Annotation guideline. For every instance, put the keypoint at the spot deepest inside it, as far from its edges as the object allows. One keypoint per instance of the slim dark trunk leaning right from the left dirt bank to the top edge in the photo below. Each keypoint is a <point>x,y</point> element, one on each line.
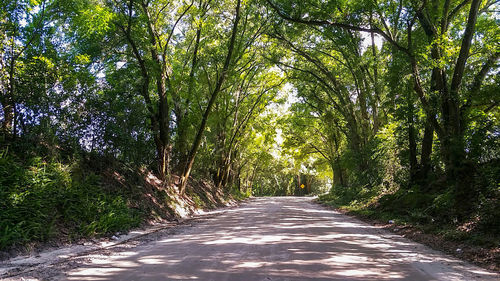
<point>201,129</point>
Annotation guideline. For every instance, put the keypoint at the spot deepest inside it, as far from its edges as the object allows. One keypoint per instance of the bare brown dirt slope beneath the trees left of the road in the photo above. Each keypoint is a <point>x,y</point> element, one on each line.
<point>156,203</point>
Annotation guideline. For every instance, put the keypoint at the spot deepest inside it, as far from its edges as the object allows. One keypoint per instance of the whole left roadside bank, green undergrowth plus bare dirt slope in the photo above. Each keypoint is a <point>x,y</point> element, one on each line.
<point>66,199</point>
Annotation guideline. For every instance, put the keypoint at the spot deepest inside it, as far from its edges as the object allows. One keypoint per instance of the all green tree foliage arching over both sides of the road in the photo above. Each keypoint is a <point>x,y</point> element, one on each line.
<point>385,104</point>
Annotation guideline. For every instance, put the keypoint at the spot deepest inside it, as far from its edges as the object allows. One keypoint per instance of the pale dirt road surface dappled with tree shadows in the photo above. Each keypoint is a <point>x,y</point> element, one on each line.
<point>274,239</point>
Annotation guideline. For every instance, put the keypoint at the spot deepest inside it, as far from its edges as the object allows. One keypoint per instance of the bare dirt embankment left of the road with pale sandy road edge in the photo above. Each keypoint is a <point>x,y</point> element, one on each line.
<point>163,209</point>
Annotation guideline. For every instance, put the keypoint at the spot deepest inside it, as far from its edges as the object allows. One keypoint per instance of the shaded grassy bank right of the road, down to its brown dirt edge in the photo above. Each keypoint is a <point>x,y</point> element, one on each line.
<point>425,218</point>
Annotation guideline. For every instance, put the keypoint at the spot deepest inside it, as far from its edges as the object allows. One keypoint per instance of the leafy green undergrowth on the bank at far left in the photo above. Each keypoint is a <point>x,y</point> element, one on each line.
<point>42,199</point>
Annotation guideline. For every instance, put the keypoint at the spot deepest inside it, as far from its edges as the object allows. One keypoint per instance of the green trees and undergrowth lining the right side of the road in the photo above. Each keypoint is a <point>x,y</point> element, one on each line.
<point>401,99</point>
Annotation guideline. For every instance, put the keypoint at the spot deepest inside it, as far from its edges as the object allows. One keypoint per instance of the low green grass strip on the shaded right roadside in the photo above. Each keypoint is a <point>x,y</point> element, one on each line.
<point>421,212</point>
